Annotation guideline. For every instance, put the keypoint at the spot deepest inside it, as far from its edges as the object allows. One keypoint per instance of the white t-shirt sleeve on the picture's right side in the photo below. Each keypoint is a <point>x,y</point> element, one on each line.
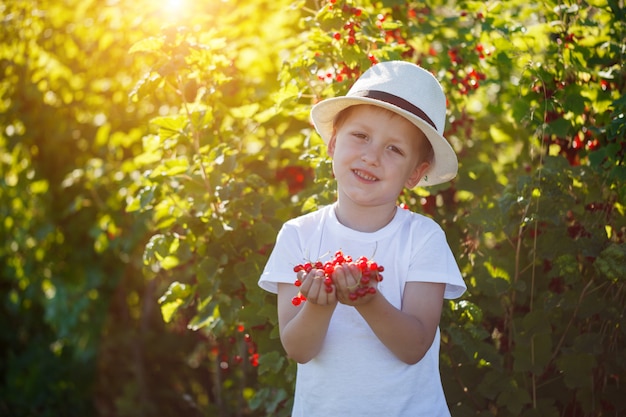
<point>433,261</point>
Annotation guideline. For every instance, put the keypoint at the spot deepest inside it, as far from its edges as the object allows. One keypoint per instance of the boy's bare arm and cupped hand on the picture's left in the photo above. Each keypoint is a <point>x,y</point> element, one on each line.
<point>303,328</point>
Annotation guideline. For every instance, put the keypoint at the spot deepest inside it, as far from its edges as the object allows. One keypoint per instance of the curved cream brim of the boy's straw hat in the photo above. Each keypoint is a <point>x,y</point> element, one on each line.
<point>442,169</point>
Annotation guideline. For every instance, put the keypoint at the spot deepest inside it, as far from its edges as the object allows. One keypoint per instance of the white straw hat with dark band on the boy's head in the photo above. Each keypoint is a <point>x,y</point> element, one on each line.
<point>405,89</point>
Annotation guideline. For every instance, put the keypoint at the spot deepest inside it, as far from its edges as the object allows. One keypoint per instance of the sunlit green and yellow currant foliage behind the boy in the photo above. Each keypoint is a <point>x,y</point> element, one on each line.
<point>149,152</point>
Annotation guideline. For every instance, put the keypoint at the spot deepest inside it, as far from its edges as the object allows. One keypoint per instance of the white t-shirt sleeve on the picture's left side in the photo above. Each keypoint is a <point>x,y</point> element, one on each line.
<point>286,254</point>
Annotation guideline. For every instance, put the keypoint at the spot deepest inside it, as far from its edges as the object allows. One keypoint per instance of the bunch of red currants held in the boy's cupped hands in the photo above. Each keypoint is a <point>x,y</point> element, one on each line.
<point>369,270</point>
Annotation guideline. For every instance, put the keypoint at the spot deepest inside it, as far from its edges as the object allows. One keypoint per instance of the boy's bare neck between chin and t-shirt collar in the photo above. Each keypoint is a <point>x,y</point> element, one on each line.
<point>364,218</point>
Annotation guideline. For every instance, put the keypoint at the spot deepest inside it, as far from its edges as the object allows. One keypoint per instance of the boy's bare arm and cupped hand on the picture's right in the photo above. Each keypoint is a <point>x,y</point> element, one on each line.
<point>408,333</point>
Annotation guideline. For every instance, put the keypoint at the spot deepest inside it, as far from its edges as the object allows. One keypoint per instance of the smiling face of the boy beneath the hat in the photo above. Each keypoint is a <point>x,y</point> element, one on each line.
<point>376,153</point>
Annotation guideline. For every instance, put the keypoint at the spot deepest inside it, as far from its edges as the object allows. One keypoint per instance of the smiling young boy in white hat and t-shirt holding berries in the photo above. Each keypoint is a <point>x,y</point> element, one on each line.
<point>378,354</point>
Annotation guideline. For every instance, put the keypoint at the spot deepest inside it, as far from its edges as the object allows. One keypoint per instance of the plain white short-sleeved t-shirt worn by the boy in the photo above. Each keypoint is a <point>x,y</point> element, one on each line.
<point>355,374</point>
